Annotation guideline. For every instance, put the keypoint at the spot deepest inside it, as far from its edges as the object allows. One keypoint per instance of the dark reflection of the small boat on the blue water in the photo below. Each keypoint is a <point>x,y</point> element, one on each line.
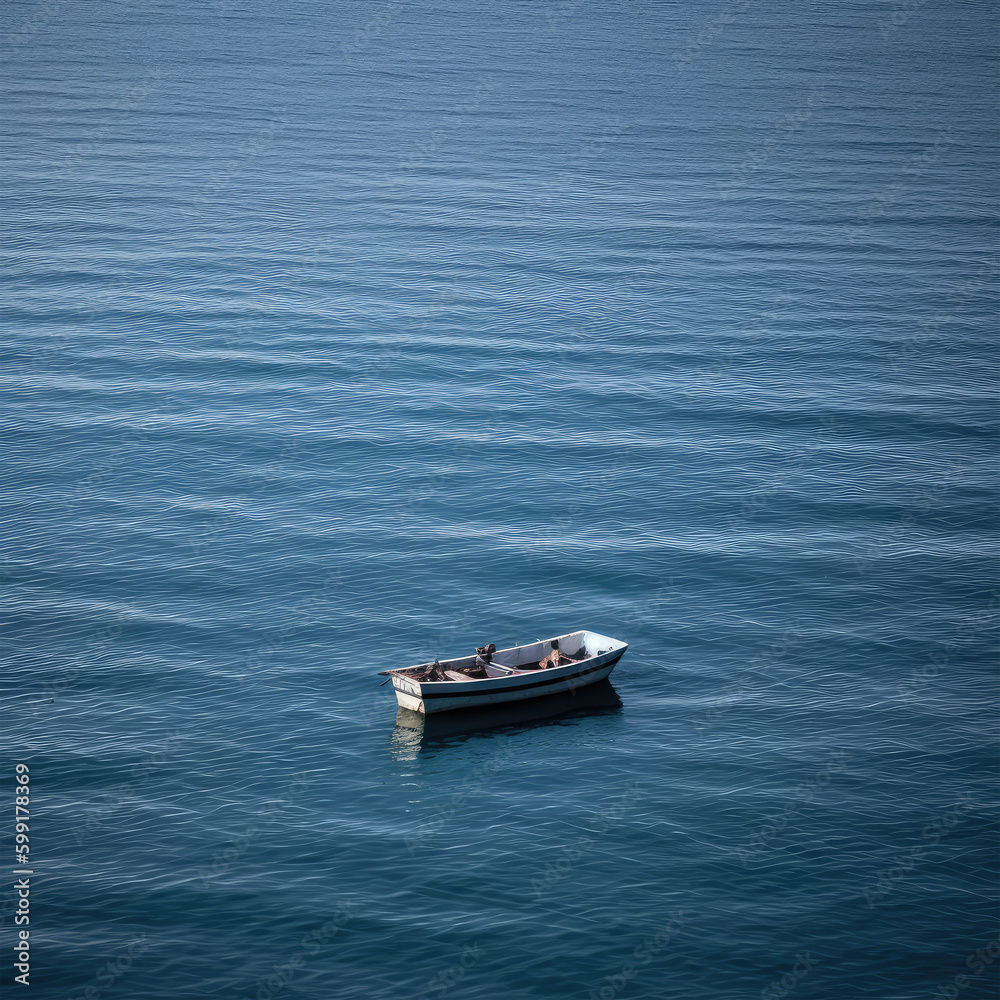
<point>415,730</point>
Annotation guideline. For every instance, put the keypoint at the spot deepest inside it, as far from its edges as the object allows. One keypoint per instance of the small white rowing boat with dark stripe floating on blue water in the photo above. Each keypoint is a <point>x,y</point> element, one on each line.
<point>497,676</point>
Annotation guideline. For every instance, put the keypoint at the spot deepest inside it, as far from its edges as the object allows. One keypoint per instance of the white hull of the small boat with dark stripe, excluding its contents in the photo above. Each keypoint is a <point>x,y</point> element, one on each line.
<point>603,653</point>
